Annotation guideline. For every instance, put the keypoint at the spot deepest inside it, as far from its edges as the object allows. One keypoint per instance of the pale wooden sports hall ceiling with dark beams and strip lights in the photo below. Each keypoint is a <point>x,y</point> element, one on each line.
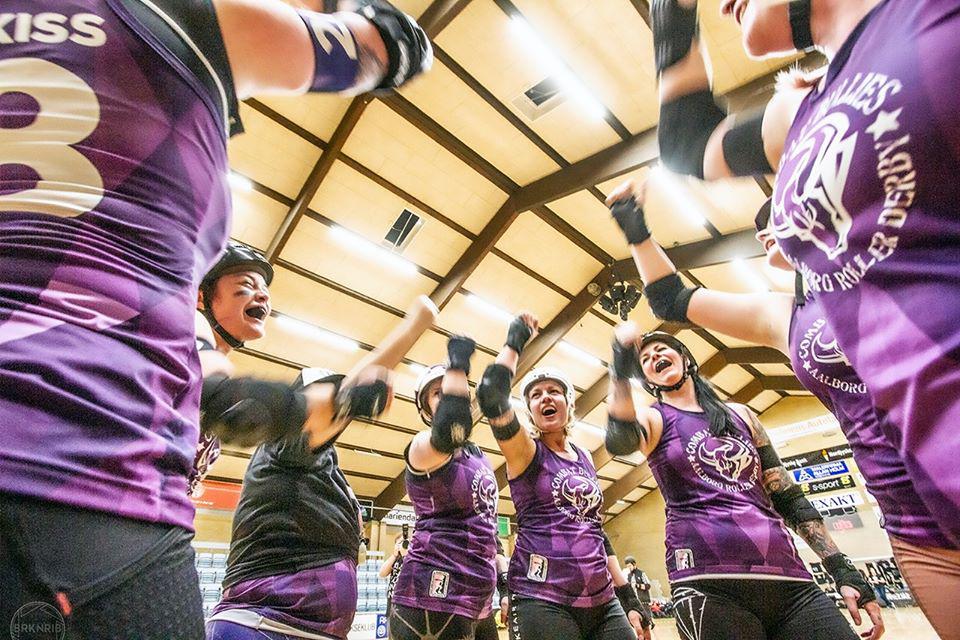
<point>512,217</point>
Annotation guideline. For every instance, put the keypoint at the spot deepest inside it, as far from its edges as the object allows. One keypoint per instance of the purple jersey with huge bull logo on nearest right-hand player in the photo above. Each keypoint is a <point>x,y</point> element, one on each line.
<point>865,206</point>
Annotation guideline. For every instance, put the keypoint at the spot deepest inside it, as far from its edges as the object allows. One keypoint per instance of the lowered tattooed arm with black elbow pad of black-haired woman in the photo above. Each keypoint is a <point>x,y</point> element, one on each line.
<point>802,517</point>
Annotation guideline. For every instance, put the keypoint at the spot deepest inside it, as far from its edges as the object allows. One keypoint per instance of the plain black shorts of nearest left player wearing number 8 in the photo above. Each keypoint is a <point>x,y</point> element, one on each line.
<point>95,575</point>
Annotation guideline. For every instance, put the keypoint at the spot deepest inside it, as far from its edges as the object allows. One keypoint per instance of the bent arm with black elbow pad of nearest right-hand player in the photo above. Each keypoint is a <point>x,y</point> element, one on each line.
<point>696,136</point>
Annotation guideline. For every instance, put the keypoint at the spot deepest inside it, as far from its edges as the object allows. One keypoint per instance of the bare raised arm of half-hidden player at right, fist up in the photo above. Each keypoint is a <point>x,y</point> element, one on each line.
<point>761,318</point>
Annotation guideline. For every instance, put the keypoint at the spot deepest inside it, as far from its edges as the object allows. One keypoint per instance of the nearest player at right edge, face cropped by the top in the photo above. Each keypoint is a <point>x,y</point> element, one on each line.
<point>864,200</point>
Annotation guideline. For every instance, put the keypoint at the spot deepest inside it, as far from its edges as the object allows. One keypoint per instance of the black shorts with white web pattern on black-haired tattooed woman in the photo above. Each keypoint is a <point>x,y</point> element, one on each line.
<point>724,609</point>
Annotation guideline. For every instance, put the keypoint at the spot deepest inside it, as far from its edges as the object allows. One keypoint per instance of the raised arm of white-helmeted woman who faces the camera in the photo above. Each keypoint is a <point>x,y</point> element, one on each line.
<point>493,395</point>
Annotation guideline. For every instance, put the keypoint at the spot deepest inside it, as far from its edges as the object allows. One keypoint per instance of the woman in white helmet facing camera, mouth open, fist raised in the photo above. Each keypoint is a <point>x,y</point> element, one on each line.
<point>564,579</point>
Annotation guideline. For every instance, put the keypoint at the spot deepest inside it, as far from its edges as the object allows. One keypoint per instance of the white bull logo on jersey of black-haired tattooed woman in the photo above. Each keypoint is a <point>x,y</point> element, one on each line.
<point>731,459</point>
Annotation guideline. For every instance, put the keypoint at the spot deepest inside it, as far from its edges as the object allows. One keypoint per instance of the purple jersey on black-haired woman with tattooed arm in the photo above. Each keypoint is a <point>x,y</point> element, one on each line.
<point>720,522</point>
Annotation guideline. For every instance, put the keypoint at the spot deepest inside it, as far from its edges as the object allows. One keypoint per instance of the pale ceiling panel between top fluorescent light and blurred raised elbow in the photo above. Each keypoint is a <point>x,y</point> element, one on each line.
<point>605,44</point>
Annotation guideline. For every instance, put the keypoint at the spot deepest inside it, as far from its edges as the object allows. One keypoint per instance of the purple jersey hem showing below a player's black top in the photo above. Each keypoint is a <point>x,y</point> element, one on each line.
<point>320,600</point>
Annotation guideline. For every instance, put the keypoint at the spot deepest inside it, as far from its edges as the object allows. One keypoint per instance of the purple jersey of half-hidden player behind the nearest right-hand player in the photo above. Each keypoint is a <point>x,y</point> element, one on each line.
<point>823,369</point>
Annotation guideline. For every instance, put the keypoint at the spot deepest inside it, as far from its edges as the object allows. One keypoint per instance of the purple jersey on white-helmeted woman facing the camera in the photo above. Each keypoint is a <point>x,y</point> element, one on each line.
<point>559,555</point>
